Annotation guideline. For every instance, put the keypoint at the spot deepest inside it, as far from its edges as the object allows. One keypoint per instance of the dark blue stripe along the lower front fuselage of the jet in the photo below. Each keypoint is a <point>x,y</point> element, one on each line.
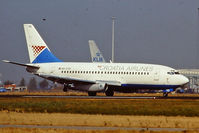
<point>150,86</point>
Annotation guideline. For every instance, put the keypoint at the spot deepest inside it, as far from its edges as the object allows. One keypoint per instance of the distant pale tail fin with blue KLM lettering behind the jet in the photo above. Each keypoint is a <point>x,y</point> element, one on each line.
<point>96,55</point>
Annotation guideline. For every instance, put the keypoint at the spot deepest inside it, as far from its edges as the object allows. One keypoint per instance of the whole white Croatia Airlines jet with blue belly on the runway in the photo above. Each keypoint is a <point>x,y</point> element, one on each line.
<point>96,77</point>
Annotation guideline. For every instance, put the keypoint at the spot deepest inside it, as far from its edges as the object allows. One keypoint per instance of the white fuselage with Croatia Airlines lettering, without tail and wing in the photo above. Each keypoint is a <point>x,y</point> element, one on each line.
<point>128,74</point>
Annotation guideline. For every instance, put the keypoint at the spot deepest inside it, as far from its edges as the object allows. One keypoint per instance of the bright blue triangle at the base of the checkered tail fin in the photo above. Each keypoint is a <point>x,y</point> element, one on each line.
<point>45,57</point>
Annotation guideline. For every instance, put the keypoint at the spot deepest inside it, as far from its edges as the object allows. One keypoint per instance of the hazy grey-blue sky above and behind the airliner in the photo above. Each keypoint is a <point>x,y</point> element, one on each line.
<point>146,31</point>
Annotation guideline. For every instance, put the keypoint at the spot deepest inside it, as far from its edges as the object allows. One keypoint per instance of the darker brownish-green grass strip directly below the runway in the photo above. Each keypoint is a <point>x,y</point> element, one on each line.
<point>166,107</point>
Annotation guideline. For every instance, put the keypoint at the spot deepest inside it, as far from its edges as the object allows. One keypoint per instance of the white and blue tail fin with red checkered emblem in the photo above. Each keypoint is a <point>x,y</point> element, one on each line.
<point>37,48</point>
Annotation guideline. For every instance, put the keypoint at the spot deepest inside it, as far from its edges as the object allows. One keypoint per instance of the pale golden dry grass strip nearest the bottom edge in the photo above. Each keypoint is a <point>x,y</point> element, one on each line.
<point>63,119</point>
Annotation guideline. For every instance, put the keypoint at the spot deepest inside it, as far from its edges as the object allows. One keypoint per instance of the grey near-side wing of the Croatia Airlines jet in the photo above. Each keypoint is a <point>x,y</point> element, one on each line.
<point>68,80</point>
